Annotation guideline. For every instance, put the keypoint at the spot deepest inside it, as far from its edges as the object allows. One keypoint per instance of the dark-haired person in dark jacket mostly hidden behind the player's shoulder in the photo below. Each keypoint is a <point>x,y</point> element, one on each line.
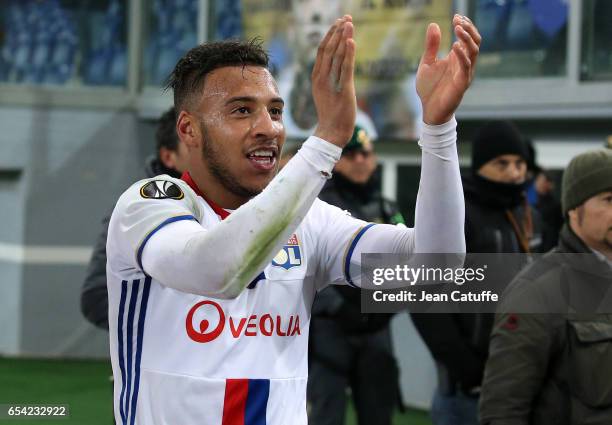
<point>171,159</point>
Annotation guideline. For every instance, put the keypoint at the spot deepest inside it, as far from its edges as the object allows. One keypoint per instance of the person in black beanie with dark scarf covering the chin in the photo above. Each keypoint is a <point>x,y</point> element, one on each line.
<point>498,220</point>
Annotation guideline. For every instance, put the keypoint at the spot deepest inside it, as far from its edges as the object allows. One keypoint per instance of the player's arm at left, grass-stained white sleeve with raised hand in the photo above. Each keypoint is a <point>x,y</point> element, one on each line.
<point>220,261</point>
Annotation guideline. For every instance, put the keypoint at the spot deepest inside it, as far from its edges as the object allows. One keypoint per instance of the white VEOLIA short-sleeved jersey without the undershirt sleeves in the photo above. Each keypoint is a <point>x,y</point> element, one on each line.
<point>213,361</point>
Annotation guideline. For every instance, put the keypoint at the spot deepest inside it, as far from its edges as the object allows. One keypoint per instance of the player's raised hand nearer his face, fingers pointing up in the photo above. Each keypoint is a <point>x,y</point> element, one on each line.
<point>333,85</point>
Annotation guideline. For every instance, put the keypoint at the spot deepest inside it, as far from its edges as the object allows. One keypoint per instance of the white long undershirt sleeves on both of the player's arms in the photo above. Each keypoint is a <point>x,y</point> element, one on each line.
<point>180,254</point>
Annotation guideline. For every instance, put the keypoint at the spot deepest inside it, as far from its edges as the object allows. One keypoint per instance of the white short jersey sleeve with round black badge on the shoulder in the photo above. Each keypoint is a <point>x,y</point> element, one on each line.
<point>142,210</point>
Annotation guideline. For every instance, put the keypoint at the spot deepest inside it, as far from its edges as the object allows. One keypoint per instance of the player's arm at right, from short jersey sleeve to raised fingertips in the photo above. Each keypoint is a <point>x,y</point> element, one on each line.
<point>441,84</point>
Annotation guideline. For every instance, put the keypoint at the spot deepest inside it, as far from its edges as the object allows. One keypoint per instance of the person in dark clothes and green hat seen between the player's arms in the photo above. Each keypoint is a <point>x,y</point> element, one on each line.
<point>345,343</point>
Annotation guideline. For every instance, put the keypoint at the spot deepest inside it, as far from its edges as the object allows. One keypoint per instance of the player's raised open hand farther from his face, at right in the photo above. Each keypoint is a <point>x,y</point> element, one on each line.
<point>441,83</point>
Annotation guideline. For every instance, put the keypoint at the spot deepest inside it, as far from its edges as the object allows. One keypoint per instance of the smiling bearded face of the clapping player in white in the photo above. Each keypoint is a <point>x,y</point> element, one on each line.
<point>240,116</point>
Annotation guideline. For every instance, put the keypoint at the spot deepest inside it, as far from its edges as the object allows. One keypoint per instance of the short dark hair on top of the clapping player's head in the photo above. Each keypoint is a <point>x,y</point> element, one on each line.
<point>189,74</point>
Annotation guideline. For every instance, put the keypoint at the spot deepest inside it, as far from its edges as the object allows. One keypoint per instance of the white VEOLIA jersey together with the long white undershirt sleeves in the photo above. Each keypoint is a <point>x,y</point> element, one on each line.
<point>239,356</point>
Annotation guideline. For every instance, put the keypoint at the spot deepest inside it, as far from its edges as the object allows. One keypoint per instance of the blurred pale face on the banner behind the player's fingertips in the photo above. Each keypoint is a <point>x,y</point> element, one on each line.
<point>312,19</point>
